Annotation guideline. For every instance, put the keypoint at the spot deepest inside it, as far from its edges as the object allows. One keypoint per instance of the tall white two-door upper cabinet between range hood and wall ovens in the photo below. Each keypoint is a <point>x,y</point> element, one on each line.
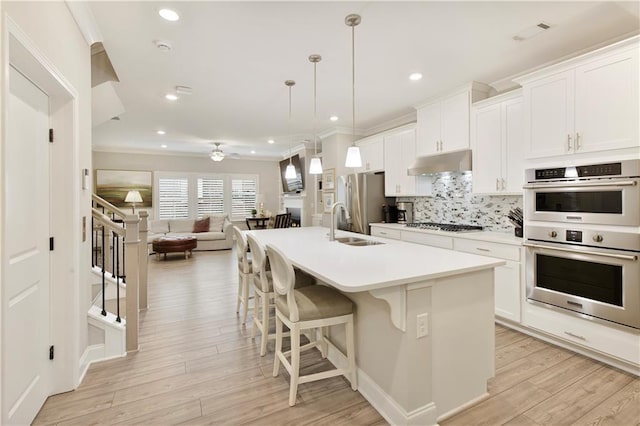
<point>496,141</point>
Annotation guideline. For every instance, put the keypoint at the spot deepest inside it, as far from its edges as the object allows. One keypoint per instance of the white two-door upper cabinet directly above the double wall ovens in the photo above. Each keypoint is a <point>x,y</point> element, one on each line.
<point>584,105</point>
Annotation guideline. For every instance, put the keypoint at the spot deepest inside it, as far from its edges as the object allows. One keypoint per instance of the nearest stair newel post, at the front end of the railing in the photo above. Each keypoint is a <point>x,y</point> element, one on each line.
<point>132,254</point>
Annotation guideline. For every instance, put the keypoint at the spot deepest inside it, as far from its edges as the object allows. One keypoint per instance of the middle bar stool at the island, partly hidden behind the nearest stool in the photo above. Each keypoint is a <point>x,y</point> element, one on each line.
<point>264,295</point>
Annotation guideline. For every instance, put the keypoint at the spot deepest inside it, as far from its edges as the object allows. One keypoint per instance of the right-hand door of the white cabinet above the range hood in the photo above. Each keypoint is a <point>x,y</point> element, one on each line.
<point>454,122</point>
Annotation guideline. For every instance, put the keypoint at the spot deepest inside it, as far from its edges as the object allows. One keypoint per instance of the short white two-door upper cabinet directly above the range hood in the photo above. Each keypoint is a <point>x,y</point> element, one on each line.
<point>443,123</point>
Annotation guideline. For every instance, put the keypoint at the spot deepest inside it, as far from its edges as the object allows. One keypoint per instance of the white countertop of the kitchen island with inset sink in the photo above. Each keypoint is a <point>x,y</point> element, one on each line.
<point>363,268</point>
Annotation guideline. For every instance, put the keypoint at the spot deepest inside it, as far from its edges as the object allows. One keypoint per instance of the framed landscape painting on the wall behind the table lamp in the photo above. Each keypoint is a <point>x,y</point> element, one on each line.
<point>113,186</point>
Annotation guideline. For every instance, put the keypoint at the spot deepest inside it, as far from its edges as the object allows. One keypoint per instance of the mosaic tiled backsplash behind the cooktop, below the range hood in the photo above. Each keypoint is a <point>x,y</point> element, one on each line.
<point>453,202</point>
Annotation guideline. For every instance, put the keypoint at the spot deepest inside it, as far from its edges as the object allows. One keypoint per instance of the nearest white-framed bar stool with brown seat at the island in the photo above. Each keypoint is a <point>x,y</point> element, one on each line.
<point>310,307</point>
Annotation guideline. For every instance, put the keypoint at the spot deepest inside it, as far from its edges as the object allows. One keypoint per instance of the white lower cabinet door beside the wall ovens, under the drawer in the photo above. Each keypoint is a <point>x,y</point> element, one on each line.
<point>507,291</point>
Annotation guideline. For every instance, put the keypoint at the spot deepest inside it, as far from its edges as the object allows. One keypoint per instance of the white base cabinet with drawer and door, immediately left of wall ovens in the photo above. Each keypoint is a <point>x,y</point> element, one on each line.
<point>508,297</point>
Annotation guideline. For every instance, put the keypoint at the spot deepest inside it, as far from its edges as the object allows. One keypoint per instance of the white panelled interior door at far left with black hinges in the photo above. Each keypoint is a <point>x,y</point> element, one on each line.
<point>26,294</point>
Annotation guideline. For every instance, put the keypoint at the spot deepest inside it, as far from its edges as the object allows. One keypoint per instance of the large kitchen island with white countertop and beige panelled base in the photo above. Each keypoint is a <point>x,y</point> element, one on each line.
<point>424,319</point>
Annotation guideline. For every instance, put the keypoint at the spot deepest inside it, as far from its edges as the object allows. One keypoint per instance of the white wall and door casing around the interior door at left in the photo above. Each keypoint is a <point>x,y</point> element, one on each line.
<point>52,31</point>
